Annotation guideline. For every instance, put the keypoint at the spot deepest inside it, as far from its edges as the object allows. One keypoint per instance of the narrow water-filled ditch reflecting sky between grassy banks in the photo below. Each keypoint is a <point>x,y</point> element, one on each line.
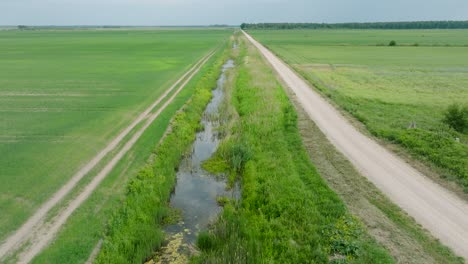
<point>196,191</point>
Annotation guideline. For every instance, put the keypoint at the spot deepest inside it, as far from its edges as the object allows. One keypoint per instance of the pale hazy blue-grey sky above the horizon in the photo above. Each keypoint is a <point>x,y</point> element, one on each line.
<point>203,12</point>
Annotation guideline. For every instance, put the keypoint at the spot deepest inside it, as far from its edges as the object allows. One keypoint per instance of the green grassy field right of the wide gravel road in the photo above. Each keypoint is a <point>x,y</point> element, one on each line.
<point>389,88</point>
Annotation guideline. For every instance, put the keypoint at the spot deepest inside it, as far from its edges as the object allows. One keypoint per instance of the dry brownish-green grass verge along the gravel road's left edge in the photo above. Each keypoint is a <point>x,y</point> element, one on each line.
<point>405,240</point>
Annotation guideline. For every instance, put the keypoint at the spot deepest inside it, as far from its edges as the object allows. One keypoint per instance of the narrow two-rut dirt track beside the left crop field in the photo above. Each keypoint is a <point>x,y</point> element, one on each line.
<point>38,233</point>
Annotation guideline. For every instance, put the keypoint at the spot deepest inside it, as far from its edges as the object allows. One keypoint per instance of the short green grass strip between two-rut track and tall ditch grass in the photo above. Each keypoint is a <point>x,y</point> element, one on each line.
<point>88,225</point>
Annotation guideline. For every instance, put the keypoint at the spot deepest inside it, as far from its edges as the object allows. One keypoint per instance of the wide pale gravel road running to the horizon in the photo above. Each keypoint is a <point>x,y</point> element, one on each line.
<point>436,209</point>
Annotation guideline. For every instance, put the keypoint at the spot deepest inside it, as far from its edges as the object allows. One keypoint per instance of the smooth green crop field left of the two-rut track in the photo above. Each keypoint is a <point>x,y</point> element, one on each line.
<point>65,94</point>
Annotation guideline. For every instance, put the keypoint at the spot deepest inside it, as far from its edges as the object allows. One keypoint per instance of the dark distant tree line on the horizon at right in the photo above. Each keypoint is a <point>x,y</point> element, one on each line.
<point>367,25</point>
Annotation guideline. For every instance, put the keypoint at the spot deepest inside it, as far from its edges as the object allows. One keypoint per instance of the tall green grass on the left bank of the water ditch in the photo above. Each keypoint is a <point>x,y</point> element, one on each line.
<point>134,230</point>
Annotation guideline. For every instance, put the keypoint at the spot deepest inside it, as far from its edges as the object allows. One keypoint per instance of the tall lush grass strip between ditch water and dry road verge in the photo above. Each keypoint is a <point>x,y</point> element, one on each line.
<point>287,213</point>
